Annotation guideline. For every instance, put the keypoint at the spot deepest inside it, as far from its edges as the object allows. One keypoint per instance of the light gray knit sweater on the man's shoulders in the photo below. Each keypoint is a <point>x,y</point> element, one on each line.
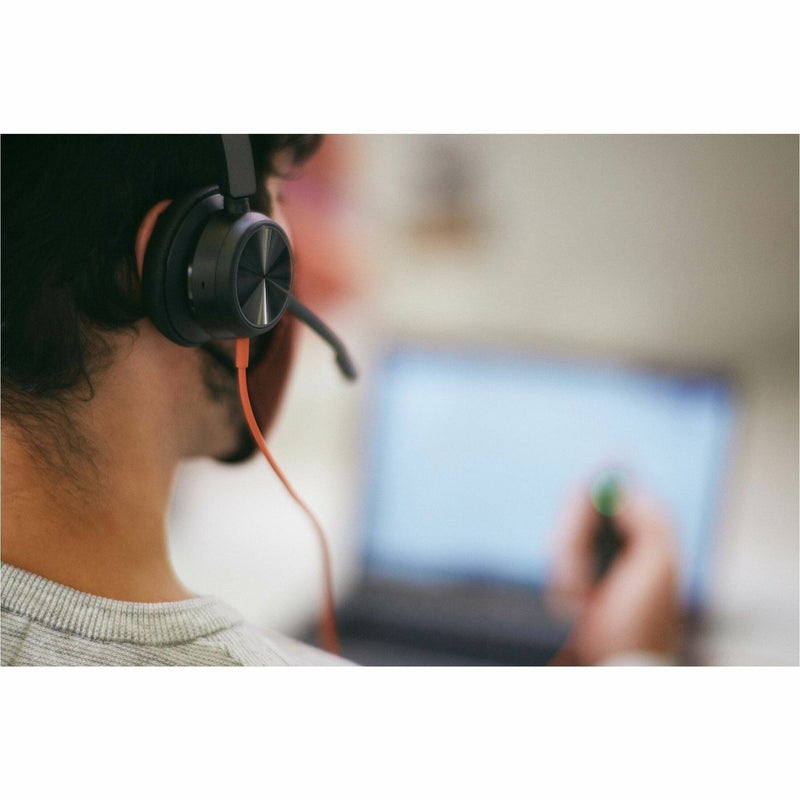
<point>46,624</point>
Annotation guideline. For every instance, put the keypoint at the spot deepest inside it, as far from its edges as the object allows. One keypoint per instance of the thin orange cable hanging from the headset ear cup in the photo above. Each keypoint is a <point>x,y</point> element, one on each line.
<point>329,638</point>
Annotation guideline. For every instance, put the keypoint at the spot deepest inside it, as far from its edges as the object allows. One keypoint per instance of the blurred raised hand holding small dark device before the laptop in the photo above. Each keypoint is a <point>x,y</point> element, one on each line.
<point>634,607</point>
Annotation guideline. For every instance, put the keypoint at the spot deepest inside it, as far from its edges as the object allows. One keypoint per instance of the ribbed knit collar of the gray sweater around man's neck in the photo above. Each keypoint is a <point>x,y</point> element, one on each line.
<point>102,619</point>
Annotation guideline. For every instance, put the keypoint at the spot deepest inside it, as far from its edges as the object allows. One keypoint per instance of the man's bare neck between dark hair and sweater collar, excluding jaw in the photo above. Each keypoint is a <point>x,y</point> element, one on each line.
<point>99,526</point>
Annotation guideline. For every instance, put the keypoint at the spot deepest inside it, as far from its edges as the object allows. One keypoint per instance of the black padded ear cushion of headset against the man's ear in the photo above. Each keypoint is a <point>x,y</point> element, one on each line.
<point>167,259</point>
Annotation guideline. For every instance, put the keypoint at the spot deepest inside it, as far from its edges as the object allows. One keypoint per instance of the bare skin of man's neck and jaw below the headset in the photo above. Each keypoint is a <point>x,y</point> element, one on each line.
<point>99,526</point>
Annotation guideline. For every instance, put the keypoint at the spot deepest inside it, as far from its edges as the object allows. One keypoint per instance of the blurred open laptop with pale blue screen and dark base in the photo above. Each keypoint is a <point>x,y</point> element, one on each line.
<point>471,455</point>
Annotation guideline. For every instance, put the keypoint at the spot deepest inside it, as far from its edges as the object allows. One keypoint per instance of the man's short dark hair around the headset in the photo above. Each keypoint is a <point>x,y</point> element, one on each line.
<point>71,207</point>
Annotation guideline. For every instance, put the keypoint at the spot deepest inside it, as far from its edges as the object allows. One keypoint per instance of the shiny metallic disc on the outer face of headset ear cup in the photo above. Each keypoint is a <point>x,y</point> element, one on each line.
<point>264,276</point>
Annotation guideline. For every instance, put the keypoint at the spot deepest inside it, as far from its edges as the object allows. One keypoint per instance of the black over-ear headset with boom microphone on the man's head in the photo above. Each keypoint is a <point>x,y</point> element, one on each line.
<point>214,269</point>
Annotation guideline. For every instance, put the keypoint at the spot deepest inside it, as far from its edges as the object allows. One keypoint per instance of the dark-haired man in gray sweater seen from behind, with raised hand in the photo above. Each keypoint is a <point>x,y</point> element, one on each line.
<point>99,408</point>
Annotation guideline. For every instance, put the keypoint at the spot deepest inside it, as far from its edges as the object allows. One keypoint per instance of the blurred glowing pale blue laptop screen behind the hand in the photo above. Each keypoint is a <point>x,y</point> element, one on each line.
<point>472,457</point>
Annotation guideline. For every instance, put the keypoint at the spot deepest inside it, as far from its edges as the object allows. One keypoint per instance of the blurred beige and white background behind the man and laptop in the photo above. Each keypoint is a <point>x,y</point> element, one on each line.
<point>673,251</point>
